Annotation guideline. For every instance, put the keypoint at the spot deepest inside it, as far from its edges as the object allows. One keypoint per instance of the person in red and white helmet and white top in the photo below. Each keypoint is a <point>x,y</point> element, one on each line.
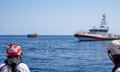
<point>14,63</point>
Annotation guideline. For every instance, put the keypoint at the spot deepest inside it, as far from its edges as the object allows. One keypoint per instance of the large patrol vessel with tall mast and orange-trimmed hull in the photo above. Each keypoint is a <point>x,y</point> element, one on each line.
<point>100,33</point>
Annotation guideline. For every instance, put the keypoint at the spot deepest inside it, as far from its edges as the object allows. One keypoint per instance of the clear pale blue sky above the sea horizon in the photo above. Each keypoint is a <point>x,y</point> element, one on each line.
<point>56,17</point>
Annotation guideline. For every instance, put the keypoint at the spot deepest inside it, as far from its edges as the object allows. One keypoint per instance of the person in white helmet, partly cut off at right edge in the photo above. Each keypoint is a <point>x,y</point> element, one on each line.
<point>114,54</point>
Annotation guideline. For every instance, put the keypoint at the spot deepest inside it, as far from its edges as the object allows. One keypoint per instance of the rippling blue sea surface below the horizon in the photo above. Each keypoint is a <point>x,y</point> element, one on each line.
<point>59,53</point>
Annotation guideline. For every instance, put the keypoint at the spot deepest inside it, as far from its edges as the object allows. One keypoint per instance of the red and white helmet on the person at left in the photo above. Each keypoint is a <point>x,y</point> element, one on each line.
<point>14,50</point>
